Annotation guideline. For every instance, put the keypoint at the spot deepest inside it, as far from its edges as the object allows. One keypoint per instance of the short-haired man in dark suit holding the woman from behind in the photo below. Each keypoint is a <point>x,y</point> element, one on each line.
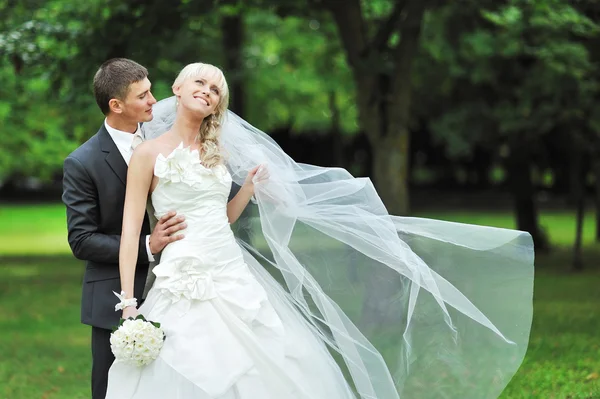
<point>94,181</point>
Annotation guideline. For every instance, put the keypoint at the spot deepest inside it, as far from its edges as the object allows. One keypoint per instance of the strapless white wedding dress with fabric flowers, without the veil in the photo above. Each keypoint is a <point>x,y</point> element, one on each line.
<point>228,336</point>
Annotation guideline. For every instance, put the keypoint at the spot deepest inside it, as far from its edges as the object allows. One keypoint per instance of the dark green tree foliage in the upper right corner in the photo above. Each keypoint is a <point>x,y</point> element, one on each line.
<point>521,68</point>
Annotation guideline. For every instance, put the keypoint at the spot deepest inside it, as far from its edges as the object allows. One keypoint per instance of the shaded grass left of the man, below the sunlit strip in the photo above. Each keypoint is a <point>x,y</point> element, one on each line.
<point>44,348</point>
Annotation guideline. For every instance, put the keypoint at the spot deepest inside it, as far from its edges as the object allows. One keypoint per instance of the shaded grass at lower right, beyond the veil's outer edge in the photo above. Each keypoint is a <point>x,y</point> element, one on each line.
<point>563,358</point>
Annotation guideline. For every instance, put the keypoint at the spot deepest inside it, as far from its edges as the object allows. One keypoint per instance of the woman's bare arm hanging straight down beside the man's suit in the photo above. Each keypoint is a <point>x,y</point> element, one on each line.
<point>139,179</point>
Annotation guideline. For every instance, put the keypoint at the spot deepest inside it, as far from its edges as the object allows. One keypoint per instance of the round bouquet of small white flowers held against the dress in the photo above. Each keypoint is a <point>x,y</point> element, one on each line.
<point>137,341</point>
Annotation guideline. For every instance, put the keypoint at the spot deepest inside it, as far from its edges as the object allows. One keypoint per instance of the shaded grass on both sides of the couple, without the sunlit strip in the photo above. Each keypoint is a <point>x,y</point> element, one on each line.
<point>45,351</point>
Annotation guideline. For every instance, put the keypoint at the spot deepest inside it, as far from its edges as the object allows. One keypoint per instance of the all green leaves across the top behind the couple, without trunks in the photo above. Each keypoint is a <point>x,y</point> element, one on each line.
<point>485,71</point>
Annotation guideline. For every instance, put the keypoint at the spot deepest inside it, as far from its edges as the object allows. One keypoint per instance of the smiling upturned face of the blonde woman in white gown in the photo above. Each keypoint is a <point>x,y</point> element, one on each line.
<point>199,94</point>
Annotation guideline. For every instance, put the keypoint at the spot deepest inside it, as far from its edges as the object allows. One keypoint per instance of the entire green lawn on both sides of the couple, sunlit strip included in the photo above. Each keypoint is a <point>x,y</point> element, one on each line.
<point>44,350</point>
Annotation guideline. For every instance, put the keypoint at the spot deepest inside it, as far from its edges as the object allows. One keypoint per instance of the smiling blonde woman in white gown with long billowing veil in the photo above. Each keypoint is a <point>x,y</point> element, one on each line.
<point>335,298</point>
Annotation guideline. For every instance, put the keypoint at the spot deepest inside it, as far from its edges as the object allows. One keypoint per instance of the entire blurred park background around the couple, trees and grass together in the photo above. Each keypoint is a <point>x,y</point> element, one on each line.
<point>472,111</point>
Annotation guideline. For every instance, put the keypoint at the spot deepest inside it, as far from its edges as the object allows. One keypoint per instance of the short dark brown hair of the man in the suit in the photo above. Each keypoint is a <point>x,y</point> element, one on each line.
<point>113,78</point>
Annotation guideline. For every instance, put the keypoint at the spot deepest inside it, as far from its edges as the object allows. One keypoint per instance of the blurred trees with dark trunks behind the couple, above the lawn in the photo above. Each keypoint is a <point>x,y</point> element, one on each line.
<point>497,99</point>
